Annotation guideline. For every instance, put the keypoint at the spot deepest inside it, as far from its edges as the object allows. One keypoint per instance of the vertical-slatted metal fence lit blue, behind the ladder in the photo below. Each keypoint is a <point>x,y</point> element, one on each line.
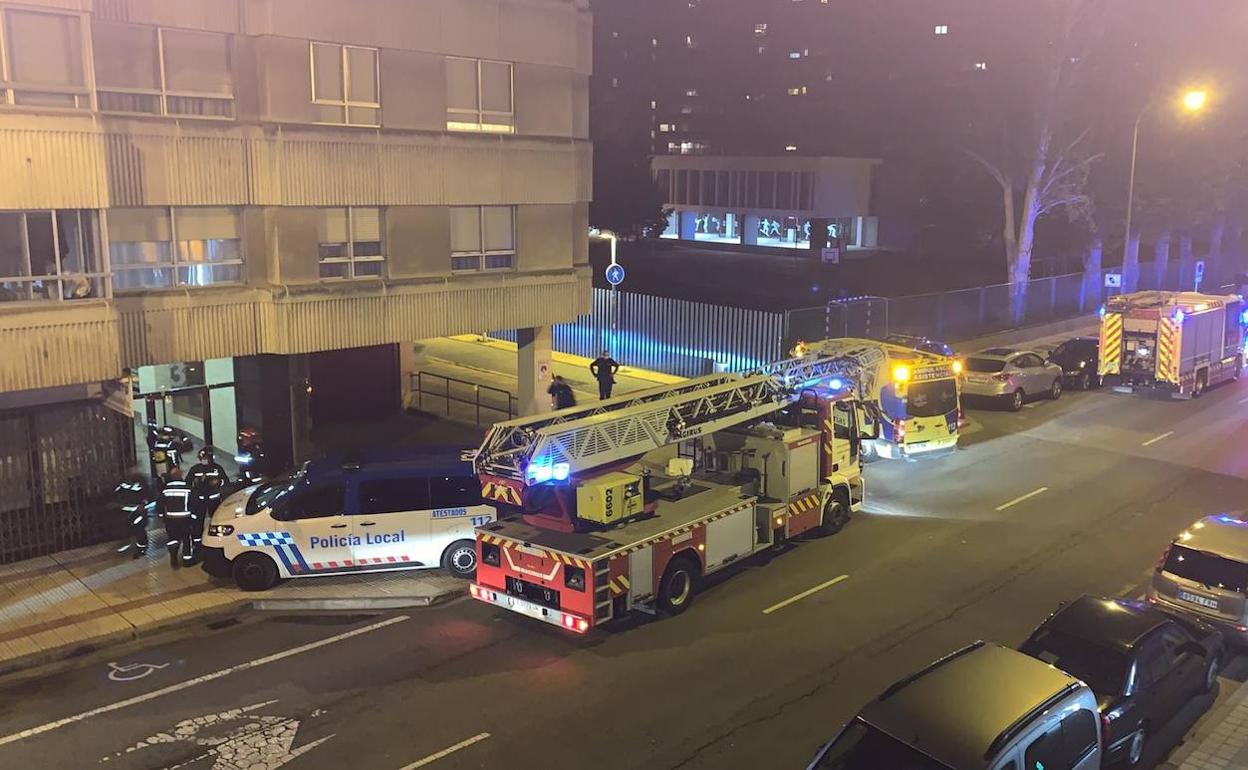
<point>675,336</point>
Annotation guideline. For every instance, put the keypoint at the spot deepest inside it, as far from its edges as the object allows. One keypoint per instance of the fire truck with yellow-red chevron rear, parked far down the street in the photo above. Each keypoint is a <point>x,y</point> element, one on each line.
<point>1182,343</point>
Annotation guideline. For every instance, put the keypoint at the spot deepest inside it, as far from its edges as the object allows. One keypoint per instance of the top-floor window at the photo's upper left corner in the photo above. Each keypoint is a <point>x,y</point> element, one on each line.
<point>42,61</point>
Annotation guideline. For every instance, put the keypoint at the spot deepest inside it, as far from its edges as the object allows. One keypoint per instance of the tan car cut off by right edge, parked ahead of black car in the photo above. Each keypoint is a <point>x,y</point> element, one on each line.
<point>1205,575</point>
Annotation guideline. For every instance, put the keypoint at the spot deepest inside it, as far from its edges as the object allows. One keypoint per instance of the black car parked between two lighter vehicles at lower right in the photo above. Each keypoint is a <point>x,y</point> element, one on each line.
<point>1143,665</point>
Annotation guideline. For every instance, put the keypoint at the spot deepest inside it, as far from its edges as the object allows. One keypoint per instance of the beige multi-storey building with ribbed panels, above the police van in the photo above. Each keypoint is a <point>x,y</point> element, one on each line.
<point>258,205</point>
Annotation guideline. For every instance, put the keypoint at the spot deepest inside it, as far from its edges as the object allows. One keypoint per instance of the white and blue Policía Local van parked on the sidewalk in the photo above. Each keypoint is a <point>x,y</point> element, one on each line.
<point>399,510</point>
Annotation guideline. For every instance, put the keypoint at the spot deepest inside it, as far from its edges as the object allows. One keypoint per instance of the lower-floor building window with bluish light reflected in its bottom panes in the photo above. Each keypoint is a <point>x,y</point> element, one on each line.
<point>163,248</point>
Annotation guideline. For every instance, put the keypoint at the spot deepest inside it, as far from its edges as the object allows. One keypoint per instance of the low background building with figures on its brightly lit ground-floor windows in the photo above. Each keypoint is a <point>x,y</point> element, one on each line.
<point>769,202</point>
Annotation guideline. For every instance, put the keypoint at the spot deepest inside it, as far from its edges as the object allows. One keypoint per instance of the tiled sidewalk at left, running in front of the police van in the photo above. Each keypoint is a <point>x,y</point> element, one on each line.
<point>74,602</point>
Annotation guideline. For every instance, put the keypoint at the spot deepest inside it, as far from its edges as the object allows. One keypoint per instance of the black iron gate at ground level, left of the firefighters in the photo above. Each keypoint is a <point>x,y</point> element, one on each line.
<point>59,465</point>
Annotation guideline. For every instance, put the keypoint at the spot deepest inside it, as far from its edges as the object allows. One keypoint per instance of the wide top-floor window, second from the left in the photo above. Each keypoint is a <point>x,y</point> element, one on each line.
<point>145,71</point>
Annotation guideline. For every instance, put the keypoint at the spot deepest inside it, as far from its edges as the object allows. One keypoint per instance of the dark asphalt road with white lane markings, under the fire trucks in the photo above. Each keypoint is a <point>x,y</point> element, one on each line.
<point>1059,500</point>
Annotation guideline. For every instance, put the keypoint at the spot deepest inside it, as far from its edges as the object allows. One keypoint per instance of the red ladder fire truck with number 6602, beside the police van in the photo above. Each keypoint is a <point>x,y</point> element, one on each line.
<point>627,505</point>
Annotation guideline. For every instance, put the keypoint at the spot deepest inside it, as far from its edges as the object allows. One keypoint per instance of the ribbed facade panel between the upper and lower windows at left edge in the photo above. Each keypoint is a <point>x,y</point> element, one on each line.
<point>46,168</point>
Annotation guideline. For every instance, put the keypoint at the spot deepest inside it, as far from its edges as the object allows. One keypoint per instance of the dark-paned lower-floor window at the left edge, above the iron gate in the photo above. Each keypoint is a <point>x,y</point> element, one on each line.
<point>49,255</point>
